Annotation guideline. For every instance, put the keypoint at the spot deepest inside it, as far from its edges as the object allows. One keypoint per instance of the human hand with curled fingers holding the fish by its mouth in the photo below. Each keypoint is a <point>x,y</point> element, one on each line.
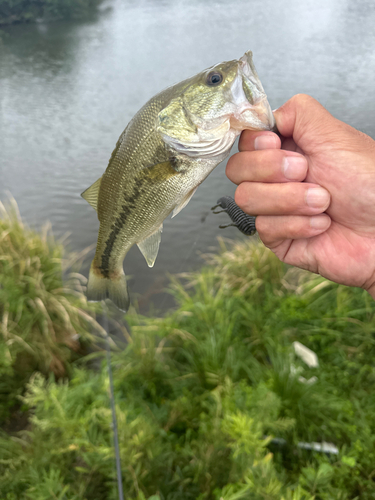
<point>313,192</point>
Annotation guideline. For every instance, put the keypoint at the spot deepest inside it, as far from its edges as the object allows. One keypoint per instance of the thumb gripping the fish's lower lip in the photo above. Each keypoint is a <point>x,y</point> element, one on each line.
<point>306,120</point>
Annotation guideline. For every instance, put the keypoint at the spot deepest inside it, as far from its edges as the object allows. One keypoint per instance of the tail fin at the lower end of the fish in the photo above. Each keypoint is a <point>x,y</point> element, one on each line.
<point>100,288</point>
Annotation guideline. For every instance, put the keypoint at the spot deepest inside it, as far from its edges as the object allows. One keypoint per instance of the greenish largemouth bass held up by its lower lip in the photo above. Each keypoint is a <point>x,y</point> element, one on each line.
<point>166,151</point>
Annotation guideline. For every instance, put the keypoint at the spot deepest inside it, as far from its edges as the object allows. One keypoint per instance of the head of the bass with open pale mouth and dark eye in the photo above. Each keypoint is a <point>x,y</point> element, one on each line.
<point>209,110</point>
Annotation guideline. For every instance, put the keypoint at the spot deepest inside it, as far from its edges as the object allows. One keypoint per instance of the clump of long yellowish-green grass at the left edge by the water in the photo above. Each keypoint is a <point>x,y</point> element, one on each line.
<point>45,321</point>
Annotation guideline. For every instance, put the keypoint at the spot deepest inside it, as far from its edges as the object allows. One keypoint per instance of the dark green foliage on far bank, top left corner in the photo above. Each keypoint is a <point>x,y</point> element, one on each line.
<point>25,11</point>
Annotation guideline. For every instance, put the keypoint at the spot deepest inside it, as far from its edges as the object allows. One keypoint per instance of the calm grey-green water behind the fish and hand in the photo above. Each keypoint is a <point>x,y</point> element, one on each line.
<point>68,89</point>
